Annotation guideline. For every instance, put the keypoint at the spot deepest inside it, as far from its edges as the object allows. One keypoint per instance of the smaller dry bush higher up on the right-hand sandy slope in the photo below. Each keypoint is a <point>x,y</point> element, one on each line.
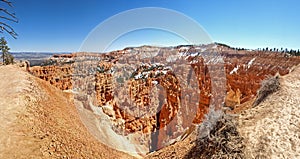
<point>268,87</point>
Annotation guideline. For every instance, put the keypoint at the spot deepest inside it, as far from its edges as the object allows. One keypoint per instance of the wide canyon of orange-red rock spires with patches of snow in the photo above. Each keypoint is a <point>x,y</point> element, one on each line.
<point>140,93</point>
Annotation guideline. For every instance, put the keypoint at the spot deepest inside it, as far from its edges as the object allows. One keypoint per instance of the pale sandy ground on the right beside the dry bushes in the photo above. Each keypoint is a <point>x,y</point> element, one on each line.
<point>272,129</point>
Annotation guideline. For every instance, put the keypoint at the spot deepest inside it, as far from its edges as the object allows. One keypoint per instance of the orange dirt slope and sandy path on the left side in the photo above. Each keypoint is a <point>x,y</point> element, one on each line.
<point>40,121</point>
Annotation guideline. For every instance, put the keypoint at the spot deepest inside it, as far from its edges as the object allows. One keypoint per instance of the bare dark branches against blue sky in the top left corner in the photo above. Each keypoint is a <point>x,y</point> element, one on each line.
<point>6,17</point>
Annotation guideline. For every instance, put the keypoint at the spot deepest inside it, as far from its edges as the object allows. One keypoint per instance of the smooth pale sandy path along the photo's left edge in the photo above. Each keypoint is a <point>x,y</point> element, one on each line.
<point>13,86</point>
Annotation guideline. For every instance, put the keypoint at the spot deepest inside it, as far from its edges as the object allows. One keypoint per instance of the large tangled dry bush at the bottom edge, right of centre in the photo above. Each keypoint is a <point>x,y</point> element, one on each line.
<point>218,138</point>
